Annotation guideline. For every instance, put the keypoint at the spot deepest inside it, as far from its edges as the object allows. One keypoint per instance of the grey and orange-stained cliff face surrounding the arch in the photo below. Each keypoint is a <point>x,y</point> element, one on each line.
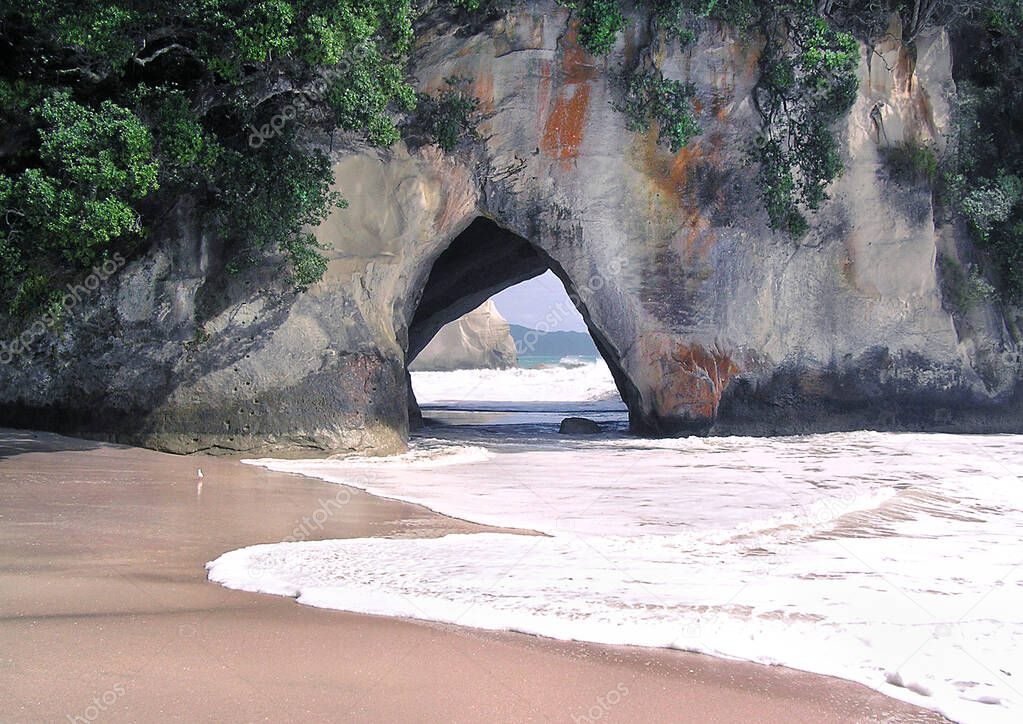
<point>708,321</point>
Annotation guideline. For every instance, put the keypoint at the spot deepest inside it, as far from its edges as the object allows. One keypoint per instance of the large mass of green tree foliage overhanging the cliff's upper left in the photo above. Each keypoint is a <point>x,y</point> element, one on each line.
<point>105,102</point>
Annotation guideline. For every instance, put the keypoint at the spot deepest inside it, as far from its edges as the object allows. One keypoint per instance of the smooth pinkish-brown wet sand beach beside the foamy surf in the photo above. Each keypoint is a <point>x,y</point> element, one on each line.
<point>106,615</point>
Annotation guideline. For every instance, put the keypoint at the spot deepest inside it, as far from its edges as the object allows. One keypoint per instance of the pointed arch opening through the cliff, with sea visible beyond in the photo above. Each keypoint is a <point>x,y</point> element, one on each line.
<point>500,336</point>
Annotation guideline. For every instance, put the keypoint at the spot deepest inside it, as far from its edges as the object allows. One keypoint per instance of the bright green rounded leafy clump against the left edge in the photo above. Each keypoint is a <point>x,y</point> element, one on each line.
<point>77,200</point>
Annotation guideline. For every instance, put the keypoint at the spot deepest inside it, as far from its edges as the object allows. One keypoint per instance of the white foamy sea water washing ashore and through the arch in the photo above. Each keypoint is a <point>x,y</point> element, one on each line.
<point>896,561</point>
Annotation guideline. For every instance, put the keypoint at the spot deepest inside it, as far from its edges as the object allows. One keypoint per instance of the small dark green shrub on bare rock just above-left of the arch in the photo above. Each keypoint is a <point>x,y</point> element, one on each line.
<point>448,119</point>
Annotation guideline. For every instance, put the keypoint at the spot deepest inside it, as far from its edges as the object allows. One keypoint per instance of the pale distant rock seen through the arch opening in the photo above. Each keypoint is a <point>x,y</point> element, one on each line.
<point>480,340</point>
